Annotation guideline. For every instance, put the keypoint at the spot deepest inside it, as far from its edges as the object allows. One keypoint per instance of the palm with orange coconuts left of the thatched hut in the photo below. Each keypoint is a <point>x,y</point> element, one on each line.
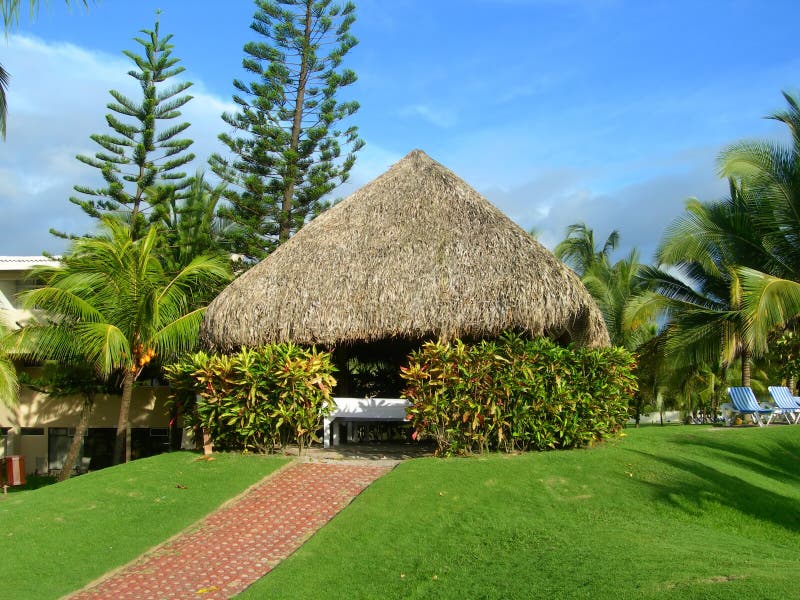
<point>113,303</point>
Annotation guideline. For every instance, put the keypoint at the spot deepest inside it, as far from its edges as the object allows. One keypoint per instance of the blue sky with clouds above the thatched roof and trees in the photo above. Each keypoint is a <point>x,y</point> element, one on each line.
<point>610,112</point>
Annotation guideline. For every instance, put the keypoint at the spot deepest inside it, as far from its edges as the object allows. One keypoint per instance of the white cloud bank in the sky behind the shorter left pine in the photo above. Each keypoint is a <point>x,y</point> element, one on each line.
<point>57,99</point>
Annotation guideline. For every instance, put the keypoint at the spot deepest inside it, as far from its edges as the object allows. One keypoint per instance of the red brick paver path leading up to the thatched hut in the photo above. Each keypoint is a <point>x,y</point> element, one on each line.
<point>231,548</point>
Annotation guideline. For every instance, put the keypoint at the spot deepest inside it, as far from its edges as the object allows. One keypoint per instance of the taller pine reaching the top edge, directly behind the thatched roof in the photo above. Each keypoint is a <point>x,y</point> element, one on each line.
<point>288,154</point>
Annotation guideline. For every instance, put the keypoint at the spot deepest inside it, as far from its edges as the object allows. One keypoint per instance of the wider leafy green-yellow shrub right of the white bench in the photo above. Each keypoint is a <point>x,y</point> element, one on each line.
<point>516,394</point>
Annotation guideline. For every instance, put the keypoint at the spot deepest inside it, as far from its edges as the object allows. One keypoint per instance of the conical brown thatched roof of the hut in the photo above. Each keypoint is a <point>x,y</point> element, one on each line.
<point>416,253</point>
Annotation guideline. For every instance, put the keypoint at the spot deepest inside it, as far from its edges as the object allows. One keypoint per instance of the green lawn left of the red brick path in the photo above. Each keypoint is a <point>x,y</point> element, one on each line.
<point>58,538</point>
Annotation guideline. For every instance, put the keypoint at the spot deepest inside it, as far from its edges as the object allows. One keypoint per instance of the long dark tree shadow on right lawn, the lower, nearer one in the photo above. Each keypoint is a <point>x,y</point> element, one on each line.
<point>711,485</point>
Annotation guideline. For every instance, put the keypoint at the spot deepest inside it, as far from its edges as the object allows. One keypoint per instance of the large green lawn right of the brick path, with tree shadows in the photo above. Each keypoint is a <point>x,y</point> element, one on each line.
<point>675,512</point>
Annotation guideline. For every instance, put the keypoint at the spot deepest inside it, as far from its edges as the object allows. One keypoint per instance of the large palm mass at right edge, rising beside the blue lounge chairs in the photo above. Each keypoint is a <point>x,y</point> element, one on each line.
<point>729,270</point>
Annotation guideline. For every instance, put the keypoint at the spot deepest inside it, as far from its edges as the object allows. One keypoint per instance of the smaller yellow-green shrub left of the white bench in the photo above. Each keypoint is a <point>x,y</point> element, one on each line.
<point>257,399</point>
